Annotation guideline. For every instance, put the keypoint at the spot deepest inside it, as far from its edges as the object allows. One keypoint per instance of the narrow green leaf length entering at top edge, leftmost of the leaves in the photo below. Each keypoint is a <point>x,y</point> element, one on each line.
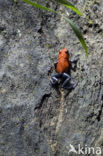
<point>39,6</point>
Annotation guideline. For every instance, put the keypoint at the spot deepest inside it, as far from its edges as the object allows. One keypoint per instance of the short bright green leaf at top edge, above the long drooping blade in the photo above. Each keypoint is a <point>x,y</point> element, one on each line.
<point>69,5</point>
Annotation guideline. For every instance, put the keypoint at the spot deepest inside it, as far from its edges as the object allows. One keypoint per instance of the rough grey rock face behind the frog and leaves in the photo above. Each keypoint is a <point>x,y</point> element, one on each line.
<point>36,119</point>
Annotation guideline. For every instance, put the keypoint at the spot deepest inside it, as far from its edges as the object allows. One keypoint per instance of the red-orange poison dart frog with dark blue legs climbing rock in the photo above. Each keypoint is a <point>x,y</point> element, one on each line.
<point>62,67</point>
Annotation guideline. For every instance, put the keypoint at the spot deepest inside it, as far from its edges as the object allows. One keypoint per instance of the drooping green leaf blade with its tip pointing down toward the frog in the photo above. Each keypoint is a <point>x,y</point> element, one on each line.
<point>78,34</point>
